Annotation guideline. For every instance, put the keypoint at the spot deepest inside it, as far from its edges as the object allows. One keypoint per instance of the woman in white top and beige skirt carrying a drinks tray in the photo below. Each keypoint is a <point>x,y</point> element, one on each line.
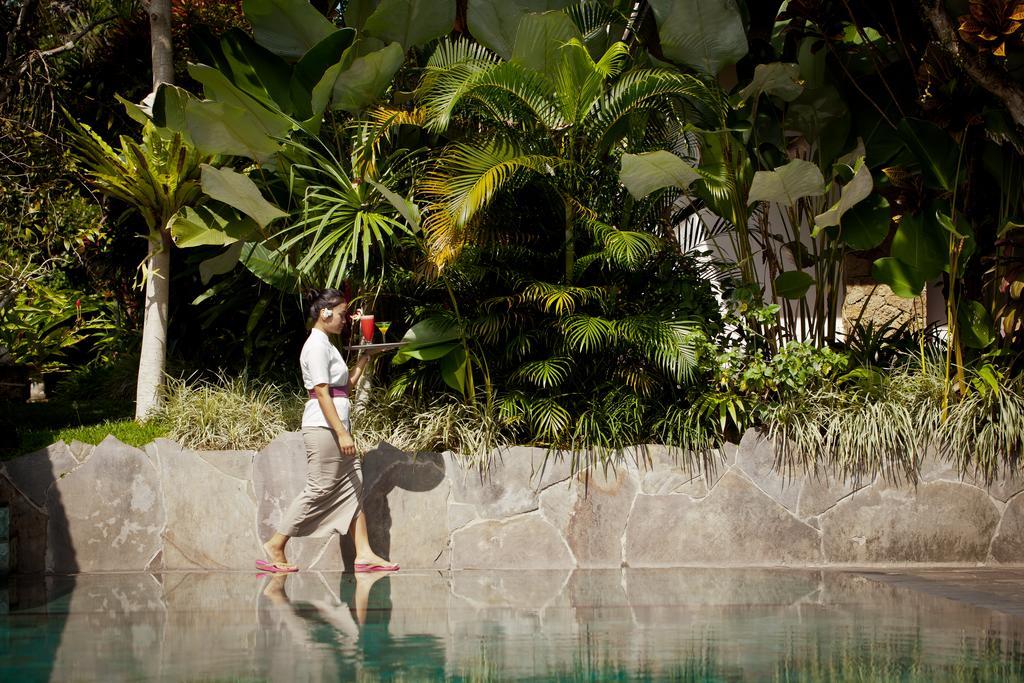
<point>332,500</point>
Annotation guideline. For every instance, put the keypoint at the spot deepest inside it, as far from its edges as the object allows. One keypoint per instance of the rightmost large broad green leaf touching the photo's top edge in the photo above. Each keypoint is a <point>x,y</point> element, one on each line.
<point>706,35</point>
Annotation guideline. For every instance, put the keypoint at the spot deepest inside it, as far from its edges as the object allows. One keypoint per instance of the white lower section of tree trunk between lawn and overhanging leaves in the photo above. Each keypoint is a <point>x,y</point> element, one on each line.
<point>152,359</point>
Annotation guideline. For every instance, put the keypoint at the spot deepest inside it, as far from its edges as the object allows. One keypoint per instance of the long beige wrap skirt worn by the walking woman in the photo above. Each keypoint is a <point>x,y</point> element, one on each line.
<point>334,489</point>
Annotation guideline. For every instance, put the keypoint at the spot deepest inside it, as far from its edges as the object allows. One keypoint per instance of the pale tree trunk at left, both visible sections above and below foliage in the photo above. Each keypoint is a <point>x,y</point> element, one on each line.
<point>158,283</point>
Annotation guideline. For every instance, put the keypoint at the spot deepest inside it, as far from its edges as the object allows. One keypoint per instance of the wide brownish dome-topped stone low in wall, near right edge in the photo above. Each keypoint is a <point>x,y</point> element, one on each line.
<point>941,522</point>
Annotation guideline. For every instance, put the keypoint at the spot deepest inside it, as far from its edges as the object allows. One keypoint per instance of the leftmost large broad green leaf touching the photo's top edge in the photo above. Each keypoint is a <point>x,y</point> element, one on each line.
<point>287,28</point>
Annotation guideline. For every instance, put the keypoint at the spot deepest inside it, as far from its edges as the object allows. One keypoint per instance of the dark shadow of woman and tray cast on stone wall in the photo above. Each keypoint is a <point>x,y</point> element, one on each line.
<point>389,468</point>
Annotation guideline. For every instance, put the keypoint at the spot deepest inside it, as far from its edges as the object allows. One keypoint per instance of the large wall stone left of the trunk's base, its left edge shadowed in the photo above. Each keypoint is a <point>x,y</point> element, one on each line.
<point>107,515</point>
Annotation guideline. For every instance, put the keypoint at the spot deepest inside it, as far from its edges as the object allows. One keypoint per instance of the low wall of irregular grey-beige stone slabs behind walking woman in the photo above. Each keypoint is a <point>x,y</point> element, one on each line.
<point>113,507</point>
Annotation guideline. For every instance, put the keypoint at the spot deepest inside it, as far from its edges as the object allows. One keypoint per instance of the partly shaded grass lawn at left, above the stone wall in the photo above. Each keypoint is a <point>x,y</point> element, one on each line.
<point>35,426</point>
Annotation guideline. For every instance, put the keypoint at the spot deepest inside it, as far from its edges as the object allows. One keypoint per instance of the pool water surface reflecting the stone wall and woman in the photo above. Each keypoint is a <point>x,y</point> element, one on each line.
<point>701,625</point>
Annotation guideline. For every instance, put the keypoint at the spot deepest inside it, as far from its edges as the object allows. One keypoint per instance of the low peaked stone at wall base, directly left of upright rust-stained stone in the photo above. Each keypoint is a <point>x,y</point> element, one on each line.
<point>526,542</point>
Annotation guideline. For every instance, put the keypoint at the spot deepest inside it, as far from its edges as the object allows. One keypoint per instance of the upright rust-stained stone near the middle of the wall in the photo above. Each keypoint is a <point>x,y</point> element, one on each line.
<point>598,522</point>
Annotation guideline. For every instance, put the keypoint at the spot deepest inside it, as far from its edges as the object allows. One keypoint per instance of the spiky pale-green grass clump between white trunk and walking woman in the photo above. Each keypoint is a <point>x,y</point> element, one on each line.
<point>228,413</point>
